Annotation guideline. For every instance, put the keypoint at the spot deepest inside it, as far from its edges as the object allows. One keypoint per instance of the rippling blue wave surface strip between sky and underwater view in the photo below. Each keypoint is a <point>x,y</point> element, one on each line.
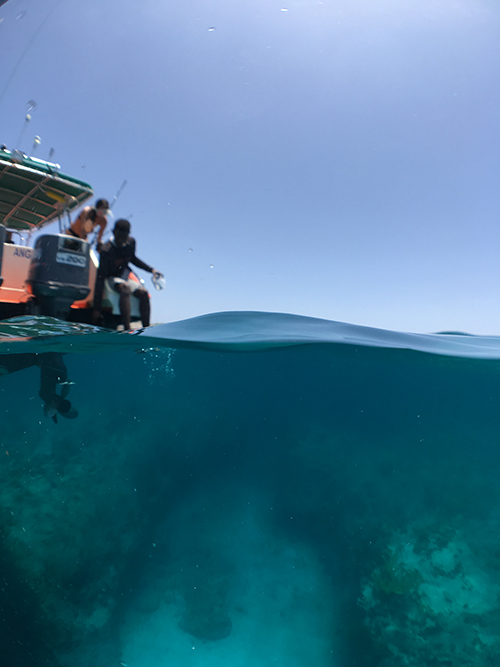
<point>235,331</point>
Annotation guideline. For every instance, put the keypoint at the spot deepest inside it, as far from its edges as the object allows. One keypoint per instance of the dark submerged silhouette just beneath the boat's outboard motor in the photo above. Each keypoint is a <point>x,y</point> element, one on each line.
<point>53,373</point>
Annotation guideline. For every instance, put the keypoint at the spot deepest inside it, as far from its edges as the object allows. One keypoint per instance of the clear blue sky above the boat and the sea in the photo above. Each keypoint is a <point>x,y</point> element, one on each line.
<point>336,159</point>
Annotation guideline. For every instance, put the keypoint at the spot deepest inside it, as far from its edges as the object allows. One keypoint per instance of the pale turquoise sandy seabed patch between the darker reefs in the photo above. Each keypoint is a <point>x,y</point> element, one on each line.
<point>251,596</point>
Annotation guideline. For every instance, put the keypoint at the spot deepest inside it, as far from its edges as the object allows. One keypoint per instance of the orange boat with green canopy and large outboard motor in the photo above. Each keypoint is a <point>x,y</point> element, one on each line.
<point>55,276</point>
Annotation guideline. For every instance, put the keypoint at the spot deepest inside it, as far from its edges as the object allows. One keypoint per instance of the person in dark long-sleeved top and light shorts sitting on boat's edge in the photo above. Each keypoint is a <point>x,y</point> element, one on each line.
<point>114,269</point>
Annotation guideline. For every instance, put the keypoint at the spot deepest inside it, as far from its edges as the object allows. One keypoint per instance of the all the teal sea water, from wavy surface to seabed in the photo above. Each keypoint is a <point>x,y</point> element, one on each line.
<point>249,489</point>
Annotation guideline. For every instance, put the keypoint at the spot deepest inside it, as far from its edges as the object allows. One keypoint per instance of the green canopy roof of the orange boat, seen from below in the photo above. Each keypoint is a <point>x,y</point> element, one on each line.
<point>34,193</point>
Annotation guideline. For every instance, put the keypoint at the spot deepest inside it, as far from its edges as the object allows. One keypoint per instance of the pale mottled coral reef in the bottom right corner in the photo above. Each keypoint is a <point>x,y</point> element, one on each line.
<point>433,601</point>
